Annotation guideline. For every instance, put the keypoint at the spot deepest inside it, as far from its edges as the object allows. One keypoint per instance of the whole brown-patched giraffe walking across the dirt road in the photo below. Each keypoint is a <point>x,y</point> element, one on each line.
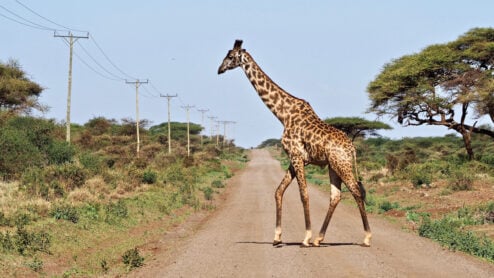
<point>307,140</point>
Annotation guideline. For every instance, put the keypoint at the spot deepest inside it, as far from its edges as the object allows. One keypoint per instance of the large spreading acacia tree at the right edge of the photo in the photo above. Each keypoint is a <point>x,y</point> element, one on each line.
<point>448,84</point>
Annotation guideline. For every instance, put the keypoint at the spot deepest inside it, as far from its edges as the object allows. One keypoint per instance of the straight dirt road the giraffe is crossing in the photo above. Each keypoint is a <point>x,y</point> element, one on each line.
<point>236,240</point>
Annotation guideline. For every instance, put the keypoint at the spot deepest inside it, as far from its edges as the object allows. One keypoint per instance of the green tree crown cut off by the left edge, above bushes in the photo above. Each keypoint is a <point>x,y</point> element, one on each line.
<point>17,93</point>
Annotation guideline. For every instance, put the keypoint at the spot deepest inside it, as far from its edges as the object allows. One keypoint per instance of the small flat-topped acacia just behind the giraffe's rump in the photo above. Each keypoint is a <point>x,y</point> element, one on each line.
<point>357,127</point>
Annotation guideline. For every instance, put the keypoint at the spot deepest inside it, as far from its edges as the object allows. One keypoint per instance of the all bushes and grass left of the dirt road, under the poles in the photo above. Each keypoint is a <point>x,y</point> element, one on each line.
<point>86,208</point>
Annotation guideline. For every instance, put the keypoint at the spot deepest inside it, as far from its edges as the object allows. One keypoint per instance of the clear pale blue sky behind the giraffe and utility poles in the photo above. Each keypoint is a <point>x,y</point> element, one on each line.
<point>323,51</point>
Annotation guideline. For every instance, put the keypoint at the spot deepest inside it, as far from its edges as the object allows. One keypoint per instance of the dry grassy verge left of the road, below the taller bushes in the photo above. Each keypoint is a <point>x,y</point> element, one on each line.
<point>89,236</point>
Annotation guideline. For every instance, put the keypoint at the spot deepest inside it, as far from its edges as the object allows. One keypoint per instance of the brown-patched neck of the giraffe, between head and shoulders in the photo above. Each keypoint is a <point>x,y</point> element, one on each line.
<point>276,99</point>
